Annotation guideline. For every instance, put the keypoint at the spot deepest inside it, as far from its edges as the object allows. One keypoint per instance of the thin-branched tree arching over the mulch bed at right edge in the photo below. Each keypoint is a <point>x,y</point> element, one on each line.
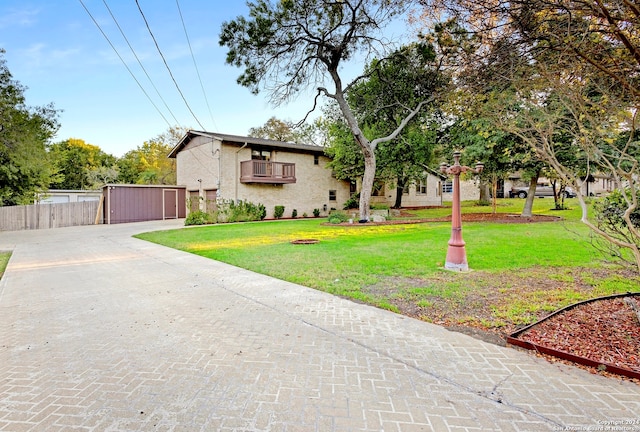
<point>571,71</point>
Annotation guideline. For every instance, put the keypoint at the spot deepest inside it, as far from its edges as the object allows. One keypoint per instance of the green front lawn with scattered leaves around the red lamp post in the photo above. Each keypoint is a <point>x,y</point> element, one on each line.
<point>521,271</point>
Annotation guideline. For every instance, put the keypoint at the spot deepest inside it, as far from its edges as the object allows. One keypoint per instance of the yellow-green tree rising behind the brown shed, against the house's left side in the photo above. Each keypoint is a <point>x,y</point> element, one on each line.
<point>149,164</point>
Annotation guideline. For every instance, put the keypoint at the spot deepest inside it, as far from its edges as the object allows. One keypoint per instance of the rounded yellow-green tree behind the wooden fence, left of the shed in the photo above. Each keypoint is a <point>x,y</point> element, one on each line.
<point>75,160</point>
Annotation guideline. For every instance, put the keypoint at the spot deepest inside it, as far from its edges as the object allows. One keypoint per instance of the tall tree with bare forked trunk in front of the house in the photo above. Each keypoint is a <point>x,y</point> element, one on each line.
<point>288,46</point>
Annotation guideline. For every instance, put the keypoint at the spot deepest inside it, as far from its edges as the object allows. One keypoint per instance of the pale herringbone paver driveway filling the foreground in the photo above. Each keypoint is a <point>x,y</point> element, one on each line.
<point>101,331</point>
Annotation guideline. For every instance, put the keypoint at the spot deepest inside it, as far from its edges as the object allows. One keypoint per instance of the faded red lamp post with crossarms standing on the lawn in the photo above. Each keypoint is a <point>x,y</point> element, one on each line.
<point>456,254</point>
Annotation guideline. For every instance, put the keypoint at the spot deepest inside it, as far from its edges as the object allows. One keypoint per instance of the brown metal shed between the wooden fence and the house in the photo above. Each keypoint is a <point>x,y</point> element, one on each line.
<point>137,203</point>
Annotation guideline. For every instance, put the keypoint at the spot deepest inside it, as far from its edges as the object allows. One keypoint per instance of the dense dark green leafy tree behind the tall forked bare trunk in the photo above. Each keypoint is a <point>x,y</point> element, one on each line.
<point>380,100</point>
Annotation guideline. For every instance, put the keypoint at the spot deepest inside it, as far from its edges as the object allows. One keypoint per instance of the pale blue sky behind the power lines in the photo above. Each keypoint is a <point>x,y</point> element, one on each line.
<point>55,49</point>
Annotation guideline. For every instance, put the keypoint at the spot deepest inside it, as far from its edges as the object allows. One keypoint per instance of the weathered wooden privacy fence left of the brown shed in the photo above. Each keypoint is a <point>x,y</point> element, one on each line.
<point>42,216</point>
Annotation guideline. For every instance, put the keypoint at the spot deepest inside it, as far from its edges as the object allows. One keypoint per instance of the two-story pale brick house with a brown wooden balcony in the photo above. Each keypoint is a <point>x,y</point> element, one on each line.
<point>216,166</point>
